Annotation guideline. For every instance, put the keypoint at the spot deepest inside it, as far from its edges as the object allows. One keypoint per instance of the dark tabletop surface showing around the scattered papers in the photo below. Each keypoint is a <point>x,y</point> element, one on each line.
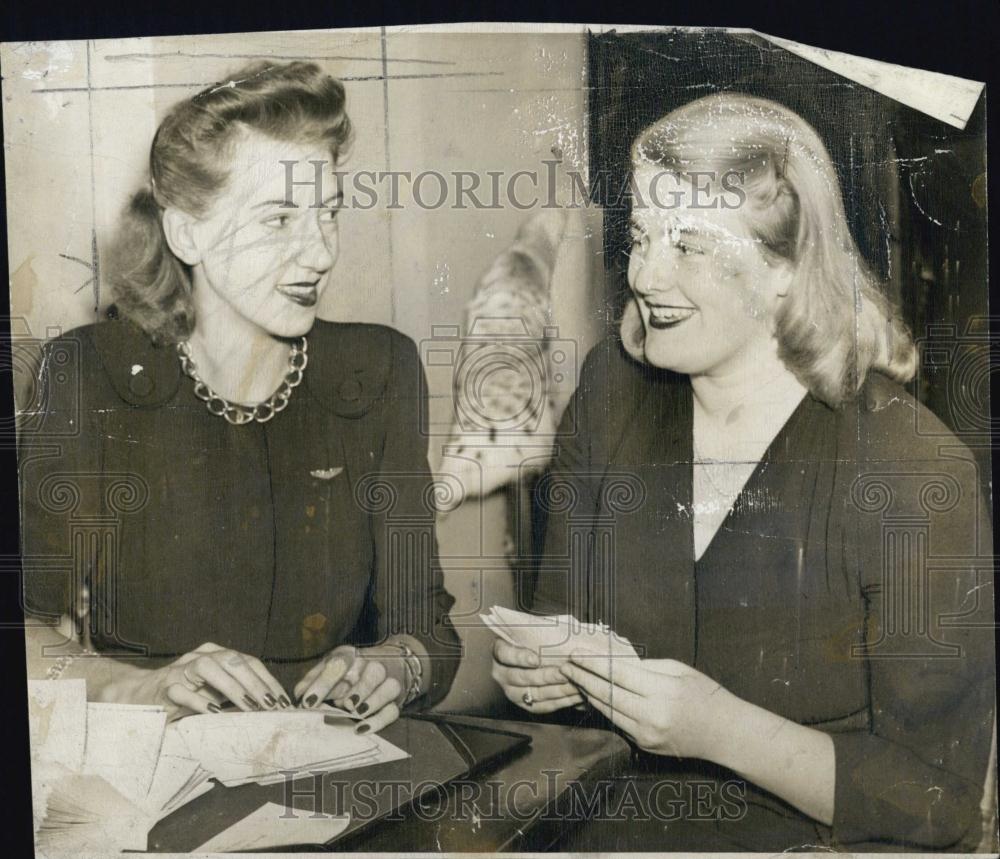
<point>517,803</point>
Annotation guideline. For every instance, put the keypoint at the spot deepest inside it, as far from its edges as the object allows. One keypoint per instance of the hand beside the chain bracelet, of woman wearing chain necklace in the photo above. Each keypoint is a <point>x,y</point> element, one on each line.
<point>370,681</point>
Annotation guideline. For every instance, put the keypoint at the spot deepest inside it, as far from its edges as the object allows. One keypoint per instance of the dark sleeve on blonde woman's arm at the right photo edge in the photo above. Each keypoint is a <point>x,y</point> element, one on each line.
<point>915,778</point>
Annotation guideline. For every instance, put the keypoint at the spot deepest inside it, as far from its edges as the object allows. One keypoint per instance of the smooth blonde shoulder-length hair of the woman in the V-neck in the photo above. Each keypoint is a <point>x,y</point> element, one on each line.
<point>835,324</point>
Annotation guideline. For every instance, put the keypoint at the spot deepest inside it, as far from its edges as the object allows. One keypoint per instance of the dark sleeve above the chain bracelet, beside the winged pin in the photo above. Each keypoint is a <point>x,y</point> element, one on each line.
<point>409,592</point>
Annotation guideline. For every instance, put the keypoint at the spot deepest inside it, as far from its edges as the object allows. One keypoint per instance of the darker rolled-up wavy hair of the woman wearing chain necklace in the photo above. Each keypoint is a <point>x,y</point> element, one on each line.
<point>189,165</point>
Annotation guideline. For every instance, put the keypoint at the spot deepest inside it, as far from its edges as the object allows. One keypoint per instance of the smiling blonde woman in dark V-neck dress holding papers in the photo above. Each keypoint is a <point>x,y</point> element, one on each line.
<point>746,498</point>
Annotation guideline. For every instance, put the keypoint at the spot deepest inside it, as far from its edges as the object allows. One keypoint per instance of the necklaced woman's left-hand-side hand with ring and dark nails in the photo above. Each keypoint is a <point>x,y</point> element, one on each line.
<point>201,681</point>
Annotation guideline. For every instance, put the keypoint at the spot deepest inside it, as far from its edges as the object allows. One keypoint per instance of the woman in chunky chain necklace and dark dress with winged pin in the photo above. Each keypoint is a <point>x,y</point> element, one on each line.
<point>258,467</point>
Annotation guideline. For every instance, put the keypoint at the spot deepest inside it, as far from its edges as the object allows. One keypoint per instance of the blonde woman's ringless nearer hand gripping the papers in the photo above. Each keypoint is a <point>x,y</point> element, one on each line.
<point>665,706</point>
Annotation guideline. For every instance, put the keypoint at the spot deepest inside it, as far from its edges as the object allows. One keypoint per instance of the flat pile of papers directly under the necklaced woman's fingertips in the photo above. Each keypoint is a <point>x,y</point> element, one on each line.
<point>270,746</point>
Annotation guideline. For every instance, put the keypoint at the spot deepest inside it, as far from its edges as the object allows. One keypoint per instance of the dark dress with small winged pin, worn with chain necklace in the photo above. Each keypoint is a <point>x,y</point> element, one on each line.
<point>281,539</point>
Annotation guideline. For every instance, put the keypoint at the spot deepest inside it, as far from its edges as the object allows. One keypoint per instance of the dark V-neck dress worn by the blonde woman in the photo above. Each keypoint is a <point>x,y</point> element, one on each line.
<point>850,589</point>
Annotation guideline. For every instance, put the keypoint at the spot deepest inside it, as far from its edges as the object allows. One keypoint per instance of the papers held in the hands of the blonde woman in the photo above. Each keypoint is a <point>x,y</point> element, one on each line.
<point>553,637</point>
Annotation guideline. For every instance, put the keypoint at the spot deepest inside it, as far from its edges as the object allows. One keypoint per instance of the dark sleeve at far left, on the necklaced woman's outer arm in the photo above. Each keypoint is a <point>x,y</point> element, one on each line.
<point>55,451</point>
